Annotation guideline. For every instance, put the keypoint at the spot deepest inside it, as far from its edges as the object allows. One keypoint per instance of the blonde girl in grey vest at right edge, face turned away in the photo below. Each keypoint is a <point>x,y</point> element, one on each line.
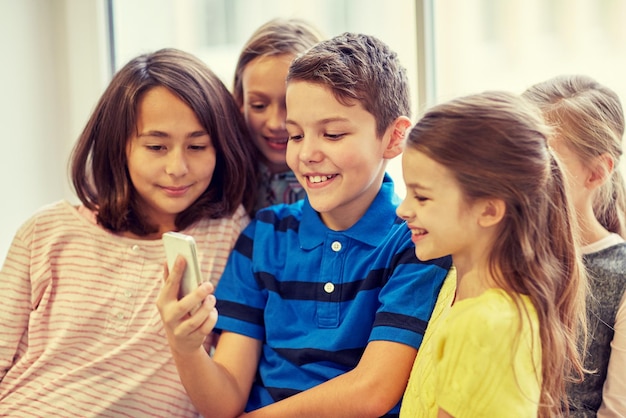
<point>588,122</point>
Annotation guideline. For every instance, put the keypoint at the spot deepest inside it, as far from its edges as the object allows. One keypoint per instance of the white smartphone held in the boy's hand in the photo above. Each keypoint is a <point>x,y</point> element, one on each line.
<point>176,244</point>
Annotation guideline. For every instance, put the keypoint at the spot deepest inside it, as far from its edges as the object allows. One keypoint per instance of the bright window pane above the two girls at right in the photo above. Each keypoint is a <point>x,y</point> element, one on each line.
<point>512,44</point>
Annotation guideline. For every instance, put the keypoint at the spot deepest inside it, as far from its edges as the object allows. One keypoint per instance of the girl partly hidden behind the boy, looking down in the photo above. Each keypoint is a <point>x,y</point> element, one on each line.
<point>259,89</point>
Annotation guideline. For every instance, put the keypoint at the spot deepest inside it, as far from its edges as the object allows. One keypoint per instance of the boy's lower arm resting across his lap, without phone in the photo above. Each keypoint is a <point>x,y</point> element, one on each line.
<point>370,390</point>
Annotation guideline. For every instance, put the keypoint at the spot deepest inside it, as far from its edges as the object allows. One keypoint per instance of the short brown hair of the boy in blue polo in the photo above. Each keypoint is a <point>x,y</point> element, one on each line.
<point>358,68</point>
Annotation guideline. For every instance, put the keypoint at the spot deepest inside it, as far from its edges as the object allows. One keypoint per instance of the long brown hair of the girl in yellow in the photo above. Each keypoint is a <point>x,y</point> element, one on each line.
<point>495,144</point>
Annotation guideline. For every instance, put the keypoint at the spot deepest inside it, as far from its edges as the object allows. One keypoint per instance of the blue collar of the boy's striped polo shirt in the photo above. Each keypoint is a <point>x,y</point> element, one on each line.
<point>371,229</point>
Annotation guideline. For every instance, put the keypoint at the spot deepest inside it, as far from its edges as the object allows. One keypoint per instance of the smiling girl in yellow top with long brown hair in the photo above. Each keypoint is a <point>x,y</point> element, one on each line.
<point>483,186</point>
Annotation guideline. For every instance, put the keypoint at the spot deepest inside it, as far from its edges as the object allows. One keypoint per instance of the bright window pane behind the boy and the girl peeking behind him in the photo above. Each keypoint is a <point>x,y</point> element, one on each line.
<point>215,30</point>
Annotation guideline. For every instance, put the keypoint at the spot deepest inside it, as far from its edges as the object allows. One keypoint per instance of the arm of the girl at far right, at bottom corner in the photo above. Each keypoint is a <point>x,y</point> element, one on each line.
<point>614,392</point>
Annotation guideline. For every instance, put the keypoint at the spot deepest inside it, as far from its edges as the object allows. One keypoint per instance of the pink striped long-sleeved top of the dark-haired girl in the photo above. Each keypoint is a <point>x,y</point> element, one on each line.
<point>80,334</point>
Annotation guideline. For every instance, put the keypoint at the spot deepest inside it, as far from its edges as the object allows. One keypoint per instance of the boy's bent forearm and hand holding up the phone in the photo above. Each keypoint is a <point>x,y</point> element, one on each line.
<point>218,386</point>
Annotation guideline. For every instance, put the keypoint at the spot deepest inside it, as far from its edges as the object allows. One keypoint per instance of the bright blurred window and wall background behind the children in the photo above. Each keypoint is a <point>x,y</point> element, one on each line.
<point>58,56</point>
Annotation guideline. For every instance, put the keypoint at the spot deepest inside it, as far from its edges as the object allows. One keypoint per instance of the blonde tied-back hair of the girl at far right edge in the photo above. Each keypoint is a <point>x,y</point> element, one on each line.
<point>590,118</point>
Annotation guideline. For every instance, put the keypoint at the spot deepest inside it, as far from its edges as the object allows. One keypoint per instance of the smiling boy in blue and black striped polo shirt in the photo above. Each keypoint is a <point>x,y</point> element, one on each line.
<point>323,304</point>
